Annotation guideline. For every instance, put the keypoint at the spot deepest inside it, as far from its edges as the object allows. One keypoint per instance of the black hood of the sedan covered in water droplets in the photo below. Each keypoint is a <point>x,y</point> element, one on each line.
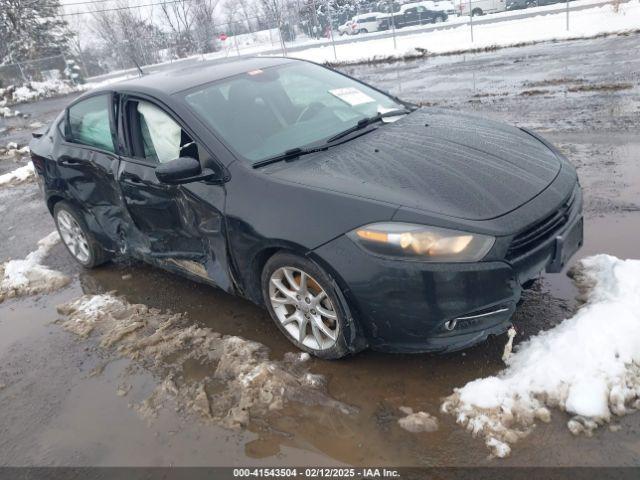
<point>442,162</point>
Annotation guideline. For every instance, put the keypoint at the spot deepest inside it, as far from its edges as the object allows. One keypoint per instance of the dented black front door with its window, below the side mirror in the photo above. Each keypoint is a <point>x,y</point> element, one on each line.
<point>179,227</point>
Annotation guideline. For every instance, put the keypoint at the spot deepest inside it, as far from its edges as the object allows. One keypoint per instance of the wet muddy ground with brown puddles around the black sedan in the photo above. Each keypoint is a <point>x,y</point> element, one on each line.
<point>65,400</point>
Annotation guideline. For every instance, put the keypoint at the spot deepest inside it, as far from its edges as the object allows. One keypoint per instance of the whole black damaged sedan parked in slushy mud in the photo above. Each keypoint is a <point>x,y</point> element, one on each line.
<point>358,220</point>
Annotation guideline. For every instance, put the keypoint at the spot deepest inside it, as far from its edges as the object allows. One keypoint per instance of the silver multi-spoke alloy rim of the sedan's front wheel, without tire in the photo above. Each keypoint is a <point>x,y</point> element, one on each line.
<point>303,308</point>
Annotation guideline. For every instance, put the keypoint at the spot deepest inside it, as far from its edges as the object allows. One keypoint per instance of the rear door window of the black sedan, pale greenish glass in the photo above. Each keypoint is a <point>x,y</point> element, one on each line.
<point>89,123</point>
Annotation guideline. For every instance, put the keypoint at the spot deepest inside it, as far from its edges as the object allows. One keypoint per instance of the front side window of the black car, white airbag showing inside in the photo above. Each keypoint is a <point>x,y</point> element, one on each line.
<point>162,138</point>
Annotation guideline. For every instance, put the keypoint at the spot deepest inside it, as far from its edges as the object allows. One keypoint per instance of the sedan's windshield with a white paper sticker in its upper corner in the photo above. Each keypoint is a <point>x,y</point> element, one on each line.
<point>265,112</point>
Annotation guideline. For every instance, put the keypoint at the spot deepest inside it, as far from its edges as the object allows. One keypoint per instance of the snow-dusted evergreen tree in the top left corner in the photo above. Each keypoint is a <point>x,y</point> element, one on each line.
<point>32,29</point>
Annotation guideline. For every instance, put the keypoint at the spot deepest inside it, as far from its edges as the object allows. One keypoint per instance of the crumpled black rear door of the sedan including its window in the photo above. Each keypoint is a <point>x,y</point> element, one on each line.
<point>86,162</point>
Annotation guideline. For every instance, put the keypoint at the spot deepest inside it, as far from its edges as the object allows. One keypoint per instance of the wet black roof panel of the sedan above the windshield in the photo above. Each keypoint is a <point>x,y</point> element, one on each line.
<point>175,80</point>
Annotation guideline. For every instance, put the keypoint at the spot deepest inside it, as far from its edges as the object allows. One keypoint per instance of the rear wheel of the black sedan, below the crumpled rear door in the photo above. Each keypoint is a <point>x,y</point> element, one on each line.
<point>71,227</point>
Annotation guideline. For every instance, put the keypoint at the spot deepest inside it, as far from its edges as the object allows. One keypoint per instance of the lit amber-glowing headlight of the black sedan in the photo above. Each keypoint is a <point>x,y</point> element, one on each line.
<point>420,242</point>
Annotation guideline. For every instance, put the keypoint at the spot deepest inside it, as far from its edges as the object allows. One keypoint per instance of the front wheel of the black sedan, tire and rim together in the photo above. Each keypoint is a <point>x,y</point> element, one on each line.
<point>290,310</point>
